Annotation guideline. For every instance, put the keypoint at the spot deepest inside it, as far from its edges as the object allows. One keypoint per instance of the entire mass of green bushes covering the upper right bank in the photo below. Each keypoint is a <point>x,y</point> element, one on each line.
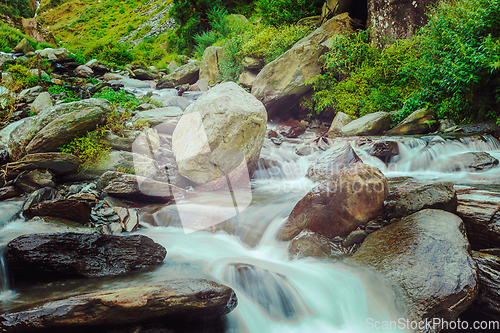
<point>451,65</point>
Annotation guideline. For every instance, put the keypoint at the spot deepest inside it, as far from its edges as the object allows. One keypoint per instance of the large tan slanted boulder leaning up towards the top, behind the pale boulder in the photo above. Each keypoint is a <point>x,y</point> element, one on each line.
<point>280,84</point>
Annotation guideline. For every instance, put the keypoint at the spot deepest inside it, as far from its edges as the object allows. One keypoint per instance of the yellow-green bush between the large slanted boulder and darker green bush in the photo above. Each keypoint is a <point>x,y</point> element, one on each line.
<point>359,79</point>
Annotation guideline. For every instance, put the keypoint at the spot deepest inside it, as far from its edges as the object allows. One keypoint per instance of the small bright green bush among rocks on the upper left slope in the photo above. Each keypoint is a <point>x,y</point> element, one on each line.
<point>109,52</point>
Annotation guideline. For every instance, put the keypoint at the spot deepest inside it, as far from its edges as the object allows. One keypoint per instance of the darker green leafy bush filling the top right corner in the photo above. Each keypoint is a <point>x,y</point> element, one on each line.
<point>460,68</point>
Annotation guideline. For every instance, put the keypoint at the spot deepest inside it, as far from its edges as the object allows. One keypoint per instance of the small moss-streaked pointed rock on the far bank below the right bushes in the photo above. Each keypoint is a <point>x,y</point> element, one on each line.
<point>419,122</point>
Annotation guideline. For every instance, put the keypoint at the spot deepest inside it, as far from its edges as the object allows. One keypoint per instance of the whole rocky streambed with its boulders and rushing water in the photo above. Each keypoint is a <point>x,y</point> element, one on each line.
<point>215,220</point>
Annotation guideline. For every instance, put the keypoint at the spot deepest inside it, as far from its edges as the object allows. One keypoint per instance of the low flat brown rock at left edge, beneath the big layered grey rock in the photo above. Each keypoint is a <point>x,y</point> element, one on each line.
<point>58,163</point>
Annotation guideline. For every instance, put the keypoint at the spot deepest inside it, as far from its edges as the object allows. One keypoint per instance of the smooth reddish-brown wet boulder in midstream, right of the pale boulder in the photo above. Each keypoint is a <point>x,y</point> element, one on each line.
<point>349,198</point>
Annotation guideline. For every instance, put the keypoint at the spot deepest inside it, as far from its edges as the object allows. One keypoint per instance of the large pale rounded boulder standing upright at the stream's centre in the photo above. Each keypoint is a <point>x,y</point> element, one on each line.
<point>222,130</point>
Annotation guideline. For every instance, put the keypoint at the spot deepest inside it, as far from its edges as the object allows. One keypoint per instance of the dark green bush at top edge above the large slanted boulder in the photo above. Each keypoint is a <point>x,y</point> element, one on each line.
<point>277,12</point>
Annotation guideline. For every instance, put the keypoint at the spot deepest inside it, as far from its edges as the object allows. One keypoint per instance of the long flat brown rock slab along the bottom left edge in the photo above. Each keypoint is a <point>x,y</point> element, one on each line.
<point>169,300</point>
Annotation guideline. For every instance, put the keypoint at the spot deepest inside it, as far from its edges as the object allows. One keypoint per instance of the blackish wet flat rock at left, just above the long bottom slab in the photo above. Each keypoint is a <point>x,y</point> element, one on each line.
<point>73,255</point>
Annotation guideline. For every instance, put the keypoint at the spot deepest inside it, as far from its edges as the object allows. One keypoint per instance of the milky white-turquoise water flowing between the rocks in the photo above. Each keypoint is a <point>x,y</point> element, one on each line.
<point>275,293</point>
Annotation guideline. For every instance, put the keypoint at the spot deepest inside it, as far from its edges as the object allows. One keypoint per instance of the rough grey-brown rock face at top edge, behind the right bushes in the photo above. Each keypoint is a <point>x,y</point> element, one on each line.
<point>396,19</point>
